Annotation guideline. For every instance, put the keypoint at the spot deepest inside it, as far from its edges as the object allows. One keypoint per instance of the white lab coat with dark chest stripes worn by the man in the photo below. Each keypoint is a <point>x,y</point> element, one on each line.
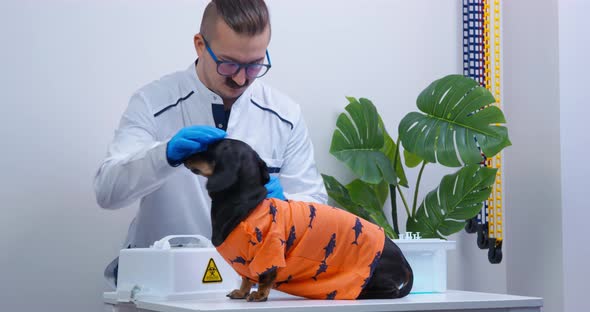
<point>172,199</point>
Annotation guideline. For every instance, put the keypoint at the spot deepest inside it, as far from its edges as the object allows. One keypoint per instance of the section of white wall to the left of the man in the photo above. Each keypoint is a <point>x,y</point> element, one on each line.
<point>68,69</point>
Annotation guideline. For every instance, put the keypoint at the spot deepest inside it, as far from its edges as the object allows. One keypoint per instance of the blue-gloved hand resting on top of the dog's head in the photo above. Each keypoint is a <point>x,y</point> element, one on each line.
<point>191,140</point>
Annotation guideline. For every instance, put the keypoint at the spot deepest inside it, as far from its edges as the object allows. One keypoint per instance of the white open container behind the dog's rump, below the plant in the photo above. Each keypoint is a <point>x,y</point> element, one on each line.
<point>428,259</point>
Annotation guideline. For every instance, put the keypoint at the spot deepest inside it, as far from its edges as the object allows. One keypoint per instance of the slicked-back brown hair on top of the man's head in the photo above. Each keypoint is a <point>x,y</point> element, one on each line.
<point>249,17</point>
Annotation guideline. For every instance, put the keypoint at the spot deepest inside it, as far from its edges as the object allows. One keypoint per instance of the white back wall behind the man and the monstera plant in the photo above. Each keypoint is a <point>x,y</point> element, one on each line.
<point>69,67</point>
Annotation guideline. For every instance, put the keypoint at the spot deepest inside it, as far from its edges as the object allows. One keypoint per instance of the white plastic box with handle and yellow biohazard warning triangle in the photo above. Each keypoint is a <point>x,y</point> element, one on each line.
<point>166,272</point>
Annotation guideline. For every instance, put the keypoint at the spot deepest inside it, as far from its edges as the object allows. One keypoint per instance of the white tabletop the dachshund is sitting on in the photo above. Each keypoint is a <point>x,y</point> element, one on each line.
<point>452,300</point>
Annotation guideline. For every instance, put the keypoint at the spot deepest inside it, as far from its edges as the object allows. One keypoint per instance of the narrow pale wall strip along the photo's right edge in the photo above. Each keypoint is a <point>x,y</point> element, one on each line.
<point>574,67</point>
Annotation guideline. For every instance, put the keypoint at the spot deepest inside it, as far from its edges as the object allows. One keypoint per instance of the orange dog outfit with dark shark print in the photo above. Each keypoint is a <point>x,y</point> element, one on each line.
<point>319,251</point>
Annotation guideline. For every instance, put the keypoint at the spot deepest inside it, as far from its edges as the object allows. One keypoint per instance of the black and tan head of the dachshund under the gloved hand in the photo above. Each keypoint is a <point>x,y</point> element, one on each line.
<point>229,164</point>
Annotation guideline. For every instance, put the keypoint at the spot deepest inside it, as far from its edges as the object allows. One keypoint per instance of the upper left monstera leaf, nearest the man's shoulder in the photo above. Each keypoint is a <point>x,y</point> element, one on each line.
<point>358,141</point>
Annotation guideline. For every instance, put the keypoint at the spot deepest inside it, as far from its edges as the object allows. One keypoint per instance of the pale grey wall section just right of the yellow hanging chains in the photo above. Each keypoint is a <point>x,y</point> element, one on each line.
<point>533,164</point>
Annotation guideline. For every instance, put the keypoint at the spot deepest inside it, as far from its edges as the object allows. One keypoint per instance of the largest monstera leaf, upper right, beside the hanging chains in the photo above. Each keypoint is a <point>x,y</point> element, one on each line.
<point>457,117</point>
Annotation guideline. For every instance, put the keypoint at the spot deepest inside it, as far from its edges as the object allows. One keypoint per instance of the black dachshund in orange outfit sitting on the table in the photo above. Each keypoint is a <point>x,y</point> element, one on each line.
<point>305,249</point>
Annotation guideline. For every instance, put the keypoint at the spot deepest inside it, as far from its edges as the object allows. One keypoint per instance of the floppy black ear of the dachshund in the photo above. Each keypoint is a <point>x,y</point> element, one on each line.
<point>227,166</point>
